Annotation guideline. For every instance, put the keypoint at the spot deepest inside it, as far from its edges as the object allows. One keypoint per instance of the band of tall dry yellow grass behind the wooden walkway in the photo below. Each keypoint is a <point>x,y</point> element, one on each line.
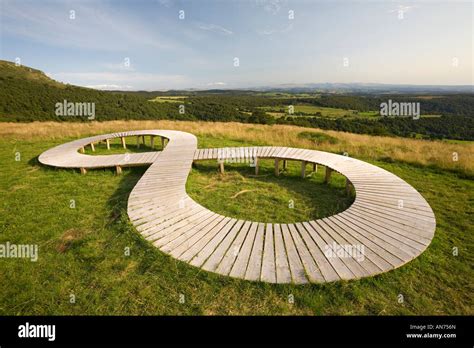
<point>422,152</point>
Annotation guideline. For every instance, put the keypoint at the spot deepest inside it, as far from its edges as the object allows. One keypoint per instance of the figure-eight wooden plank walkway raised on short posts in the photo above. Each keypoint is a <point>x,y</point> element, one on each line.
<point>389,223</point>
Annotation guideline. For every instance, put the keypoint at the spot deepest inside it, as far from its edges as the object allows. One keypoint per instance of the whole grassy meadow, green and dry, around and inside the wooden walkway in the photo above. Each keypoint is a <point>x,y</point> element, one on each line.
<point>81,227</point>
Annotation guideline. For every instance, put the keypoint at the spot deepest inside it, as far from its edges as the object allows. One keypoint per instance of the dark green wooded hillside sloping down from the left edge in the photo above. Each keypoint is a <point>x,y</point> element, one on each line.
<point>27,94</point>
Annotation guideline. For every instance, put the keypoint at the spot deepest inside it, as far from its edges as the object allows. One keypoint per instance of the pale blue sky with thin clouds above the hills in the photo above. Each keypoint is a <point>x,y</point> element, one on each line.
<point>203,44</point>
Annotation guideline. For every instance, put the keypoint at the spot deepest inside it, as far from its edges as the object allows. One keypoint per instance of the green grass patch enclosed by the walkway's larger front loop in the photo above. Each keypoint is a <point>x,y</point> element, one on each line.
<point>267,198</point>
